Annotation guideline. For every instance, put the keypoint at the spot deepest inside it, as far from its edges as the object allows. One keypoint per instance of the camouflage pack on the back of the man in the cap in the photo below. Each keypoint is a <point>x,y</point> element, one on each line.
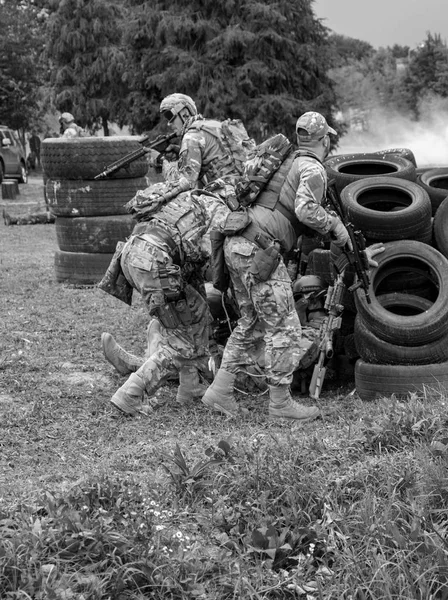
<point>266,159</point>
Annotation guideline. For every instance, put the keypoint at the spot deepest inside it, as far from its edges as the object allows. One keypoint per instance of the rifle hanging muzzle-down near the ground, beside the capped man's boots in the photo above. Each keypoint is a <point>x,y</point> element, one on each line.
<point>332,322</point>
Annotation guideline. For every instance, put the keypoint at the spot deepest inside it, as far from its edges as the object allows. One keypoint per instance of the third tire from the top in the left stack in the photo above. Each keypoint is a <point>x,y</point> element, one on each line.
<point>93,234</point>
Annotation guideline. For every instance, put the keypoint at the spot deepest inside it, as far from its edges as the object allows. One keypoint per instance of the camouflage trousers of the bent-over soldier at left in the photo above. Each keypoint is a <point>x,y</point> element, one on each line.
<point>183,311</point>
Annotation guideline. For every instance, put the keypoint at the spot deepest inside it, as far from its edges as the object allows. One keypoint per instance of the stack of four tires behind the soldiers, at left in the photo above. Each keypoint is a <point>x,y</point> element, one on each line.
<point>90,215</point>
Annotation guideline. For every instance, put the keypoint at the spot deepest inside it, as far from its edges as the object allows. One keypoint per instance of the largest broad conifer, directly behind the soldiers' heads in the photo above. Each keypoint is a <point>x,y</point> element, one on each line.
<point>263,61</point>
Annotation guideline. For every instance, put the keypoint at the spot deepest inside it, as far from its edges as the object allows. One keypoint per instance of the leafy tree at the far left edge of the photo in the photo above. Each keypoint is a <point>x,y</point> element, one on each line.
<point>22,26</point>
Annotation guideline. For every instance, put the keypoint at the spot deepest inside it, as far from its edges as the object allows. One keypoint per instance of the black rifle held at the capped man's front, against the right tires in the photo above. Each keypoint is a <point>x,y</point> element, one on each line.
<point>356,255</point>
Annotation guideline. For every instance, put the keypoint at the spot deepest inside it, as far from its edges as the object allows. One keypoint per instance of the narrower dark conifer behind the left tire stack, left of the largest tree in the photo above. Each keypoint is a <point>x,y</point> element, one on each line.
<point>87,60</point>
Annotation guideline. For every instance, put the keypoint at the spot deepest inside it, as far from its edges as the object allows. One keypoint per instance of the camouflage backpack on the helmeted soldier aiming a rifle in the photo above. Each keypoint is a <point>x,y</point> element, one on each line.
<point>234,137</point>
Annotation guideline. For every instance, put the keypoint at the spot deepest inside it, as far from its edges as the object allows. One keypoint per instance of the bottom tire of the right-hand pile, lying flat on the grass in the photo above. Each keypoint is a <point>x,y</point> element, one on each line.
<point>381,381</point>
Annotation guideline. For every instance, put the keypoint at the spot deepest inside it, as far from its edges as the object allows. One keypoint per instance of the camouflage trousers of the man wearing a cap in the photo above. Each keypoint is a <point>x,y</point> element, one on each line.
<point>268,319</point>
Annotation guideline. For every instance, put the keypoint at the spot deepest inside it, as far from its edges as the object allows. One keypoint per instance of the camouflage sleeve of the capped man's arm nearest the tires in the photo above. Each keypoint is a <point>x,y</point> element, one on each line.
<point>309,198</point>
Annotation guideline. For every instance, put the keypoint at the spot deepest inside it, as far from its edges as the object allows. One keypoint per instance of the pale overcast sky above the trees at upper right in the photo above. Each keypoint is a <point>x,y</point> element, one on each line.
<point>385,22</point>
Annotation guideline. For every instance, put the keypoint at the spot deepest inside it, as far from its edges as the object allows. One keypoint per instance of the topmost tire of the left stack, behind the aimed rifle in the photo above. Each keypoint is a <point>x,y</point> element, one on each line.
<point>83,158</point>
